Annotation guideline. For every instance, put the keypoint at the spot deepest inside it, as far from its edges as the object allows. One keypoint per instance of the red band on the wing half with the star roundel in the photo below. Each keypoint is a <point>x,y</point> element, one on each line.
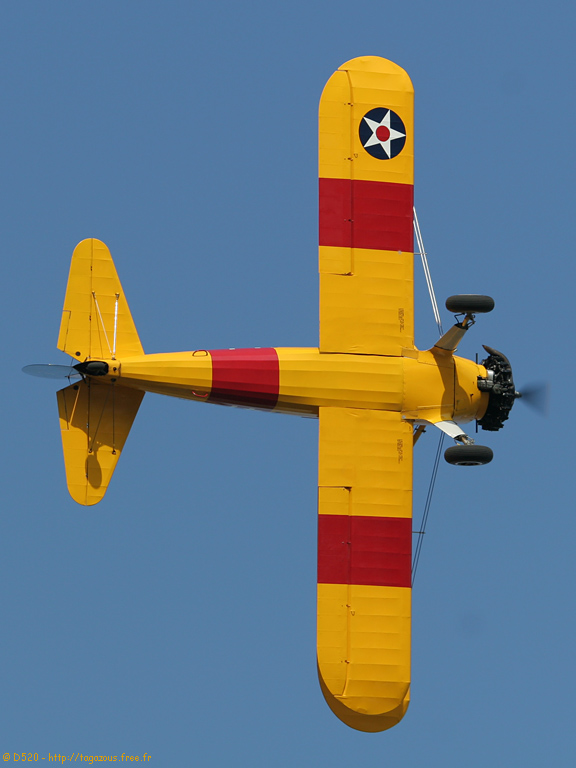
<point>366,214</point>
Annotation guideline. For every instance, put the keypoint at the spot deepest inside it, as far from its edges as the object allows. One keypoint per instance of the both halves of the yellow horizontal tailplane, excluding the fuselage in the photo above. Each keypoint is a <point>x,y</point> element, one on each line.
<point>95,414</point>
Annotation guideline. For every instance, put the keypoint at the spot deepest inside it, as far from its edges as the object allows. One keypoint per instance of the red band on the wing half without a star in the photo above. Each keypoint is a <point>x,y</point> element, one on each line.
<point>373,551</point>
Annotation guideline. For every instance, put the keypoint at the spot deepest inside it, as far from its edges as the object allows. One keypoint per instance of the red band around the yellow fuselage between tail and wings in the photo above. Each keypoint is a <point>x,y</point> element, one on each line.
<point>245,377</point>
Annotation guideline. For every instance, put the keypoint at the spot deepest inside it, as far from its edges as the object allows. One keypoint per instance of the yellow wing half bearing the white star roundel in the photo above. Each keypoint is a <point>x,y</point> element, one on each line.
<point>366,209</point>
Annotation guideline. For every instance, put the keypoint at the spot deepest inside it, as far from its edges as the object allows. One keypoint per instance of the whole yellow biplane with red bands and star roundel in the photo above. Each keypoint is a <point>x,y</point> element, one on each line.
<point>370,388</point>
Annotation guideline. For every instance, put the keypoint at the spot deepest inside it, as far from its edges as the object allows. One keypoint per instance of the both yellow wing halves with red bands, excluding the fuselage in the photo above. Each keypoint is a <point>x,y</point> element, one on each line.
<point>365,456</point>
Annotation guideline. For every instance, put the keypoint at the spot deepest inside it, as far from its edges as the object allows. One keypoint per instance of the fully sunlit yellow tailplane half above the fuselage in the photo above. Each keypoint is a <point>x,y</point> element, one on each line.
<point>96,320</point>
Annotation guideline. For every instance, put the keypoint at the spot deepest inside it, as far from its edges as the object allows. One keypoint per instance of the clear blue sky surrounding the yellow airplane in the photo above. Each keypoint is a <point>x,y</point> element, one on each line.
<point>177,617</point>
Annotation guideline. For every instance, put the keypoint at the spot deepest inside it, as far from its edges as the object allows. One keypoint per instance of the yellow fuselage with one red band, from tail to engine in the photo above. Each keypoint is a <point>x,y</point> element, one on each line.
<point>423,386</point>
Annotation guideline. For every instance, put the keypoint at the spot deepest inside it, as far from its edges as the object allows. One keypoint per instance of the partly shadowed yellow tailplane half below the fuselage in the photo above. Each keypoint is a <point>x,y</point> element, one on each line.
<point>95,419</point>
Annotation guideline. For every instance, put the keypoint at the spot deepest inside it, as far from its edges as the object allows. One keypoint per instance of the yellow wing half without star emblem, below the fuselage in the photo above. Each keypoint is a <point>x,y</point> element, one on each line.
<point>364,565</point>
